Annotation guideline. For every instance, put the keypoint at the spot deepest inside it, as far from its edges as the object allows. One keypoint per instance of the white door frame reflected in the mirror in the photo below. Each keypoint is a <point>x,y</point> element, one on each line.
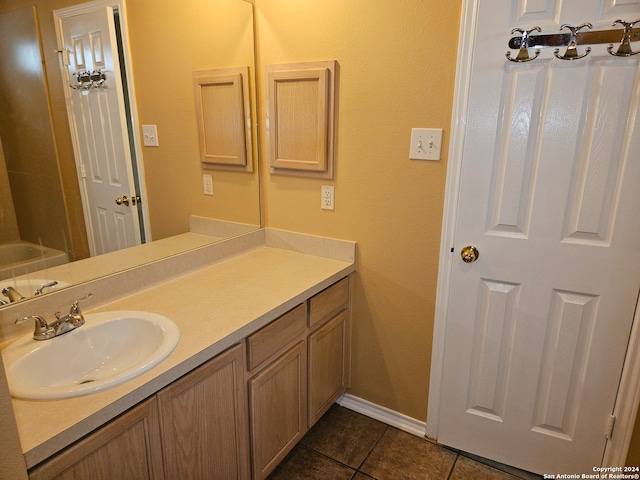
<point>129,87</point>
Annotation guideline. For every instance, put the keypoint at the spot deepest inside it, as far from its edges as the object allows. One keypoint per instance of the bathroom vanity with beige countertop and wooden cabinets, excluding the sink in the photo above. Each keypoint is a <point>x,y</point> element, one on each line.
<point>264,352</point>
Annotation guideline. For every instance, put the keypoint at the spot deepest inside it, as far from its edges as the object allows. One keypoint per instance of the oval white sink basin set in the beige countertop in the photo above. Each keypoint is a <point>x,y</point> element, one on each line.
<point>109,349</point>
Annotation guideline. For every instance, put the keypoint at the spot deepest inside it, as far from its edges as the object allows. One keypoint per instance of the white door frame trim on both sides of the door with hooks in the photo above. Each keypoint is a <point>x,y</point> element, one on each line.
<point>628,397</point>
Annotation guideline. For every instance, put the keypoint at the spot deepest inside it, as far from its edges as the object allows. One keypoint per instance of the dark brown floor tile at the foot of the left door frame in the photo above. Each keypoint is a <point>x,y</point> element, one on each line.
<point>402,456</point>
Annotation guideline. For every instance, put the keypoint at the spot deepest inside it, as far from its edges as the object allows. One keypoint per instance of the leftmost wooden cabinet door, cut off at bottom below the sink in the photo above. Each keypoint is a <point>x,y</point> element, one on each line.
<point>126,448</point>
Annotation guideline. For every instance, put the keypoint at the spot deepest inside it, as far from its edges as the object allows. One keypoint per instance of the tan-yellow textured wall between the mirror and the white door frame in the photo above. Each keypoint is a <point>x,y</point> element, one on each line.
<point>397,70</point>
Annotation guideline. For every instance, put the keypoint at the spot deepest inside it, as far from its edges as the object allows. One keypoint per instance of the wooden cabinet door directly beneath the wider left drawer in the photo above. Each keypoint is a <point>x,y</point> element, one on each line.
<point>278,409</point>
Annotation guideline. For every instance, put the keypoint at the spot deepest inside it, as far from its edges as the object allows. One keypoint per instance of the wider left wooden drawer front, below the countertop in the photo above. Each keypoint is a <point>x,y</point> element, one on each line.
<point>275,336</point>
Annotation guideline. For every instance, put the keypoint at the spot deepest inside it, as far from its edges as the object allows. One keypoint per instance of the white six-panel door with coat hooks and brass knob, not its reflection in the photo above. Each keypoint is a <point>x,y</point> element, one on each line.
<point>537,327</point>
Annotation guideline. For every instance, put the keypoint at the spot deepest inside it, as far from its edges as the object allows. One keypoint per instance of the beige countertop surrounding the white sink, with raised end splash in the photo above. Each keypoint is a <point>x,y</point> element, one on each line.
<point>215,307</point>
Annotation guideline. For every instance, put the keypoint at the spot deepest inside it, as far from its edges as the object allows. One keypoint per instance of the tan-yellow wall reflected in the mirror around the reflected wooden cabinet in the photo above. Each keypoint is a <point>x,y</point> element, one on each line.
<point>169,41</point>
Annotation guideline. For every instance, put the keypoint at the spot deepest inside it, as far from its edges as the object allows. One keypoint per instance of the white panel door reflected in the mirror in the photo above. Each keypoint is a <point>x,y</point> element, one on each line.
<point>101,139</point>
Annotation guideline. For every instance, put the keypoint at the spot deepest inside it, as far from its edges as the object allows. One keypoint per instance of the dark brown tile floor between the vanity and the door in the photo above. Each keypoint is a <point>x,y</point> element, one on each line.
<point>345,445</point>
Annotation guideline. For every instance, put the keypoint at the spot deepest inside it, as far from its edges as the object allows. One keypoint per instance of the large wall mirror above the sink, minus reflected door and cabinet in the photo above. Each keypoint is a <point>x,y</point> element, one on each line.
<point>40,187</point>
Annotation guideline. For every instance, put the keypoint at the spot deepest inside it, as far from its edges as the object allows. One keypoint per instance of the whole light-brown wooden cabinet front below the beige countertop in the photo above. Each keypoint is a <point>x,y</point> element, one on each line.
<point>198,427</point>
